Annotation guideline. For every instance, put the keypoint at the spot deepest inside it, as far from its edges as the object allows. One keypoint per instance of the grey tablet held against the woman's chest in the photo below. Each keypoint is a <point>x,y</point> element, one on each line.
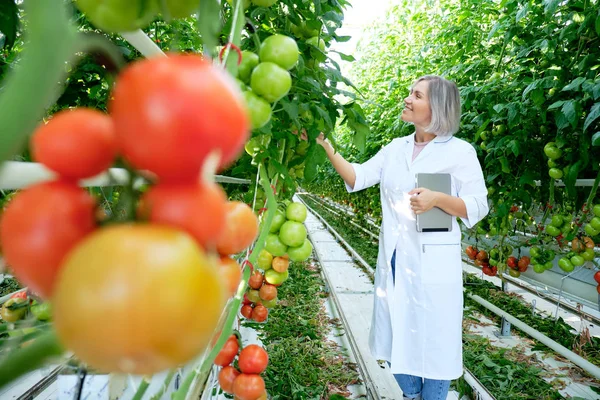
<point>435,220</point>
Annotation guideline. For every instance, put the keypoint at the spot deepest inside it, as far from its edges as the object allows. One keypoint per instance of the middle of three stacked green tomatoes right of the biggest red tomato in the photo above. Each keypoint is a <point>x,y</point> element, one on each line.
<point>270,81</point>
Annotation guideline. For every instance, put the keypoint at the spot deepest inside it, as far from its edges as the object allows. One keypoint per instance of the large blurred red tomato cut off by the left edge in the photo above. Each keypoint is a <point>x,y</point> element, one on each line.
<point>40,226</point>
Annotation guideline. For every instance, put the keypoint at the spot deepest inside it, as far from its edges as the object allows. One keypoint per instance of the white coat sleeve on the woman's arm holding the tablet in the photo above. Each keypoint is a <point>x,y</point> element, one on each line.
<point>471,188</point>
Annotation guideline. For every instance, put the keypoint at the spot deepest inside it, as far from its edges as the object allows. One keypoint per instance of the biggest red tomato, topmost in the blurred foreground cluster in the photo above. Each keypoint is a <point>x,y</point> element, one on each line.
<point>171,112</point>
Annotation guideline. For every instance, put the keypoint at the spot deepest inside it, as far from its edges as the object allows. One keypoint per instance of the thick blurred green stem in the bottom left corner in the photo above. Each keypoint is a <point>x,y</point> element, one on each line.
<point>30,357</point>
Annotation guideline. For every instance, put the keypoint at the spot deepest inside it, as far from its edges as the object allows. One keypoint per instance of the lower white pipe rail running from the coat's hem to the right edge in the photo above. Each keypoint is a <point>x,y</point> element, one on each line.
<point>581,362</point>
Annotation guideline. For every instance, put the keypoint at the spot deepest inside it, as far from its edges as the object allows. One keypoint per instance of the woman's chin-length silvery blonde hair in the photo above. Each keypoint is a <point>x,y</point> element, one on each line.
<point>444,101</point>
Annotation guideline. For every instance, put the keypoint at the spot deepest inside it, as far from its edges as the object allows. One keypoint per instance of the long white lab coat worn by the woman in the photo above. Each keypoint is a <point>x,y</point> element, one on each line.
<point>417,324</point>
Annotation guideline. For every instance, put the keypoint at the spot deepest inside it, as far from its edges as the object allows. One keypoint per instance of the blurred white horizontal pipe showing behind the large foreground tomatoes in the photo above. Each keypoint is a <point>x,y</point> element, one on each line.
<point>18,174</point>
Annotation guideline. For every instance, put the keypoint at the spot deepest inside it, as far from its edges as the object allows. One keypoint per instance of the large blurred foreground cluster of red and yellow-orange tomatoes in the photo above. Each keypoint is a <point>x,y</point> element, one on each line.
<point>178,119</point>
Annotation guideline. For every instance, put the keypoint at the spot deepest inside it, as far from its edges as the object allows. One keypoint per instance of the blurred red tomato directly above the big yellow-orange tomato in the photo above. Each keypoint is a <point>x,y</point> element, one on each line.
<point>198,209</point>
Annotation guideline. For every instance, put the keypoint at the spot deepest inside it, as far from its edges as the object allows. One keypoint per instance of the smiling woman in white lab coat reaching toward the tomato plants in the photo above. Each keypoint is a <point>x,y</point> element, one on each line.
<point>417,315</point>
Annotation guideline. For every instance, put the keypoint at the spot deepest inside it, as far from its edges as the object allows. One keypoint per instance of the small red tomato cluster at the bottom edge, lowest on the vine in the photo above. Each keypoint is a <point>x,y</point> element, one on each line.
<point>244,382</point>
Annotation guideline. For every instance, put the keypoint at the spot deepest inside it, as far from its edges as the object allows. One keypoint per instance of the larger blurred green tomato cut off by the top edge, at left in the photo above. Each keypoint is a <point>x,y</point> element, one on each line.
<point>119,15</point>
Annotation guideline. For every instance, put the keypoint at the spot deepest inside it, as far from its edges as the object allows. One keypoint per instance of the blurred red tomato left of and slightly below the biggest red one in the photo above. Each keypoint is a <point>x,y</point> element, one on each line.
<point>77,143</point>
